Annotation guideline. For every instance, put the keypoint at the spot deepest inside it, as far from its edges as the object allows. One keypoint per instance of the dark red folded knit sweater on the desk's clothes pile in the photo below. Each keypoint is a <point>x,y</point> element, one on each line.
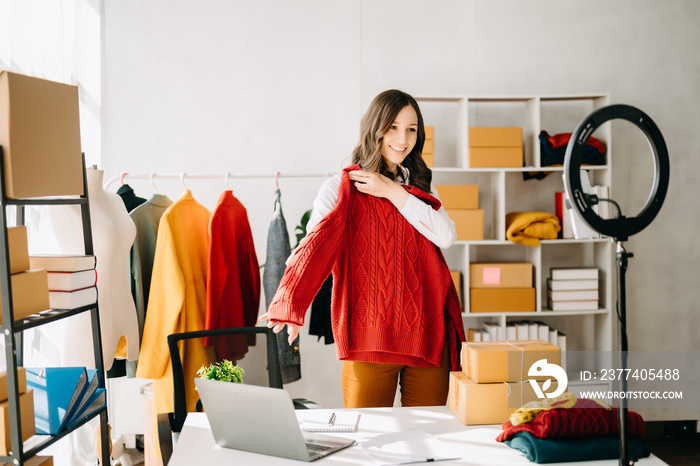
<point>585,419</point>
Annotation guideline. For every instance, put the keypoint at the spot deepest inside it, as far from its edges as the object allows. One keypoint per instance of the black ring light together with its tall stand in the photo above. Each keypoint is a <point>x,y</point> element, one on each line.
<point>620,228</point>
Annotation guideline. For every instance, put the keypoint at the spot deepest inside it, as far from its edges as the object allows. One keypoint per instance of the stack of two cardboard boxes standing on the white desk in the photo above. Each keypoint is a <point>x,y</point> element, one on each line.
<point>494,380</point>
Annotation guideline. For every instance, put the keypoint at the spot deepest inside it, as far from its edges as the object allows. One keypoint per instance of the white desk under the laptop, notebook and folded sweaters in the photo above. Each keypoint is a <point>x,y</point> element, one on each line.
<point>477,444</point>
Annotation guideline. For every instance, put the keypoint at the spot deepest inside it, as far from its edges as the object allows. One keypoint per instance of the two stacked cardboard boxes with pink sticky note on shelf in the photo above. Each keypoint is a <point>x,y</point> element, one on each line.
<point>501,287</point>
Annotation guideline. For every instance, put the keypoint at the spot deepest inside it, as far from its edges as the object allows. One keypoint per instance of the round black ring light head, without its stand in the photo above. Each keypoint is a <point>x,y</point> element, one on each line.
<point>620,228</point>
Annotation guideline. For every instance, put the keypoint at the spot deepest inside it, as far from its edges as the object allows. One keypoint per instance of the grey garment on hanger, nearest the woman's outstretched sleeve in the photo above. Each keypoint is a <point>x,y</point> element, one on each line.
<point>278,250</point>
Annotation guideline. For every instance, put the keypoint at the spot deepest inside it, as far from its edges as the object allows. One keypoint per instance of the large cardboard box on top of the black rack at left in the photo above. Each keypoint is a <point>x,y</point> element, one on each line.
<point>40,137</point>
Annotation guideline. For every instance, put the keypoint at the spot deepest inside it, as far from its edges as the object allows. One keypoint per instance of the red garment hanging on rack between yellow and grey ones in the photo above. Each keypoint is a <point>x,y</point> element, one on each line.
<point>233,277</point>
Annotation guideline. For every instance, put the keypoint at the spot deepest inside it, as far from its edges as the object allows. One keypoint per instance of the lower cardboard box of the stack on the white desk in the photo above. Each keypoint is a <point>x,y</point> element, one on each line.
<point>490,403</point>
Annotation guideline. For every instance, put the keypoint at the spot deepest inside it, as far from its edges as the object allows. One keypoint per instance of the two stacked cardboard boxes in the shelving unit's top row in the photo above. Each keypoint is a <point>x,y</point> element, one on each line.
<point>495,147</point>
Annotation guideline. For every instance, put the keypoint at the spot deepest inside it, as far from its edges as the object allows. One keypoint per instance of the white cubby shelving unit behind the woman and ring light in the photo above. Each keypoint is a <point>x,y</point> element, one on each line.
<point>503,190</point>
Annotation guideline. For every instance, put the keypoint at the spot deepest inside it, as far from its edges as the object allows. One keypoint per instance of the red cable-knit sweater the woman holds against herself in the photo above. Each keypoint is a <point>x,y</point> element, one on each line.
<point>393,299</point>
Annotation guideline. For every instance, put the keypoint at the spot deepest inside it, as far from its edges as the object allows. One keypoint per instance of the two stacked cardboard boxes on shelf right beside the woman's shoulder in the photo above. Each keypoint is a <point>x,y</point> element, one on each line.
<point>462,204</point>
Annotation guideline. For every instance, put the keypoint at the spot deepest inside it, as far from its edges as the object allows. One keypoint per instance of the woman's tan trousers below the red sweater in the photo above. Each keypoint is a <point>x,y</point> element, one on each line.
<point>371,385</point>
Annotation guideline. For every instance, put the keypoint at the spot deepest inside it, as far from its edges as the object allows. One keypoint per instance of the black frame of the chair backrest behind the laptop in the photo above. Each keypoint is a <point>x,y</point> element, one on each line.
<point>177,418</point>
